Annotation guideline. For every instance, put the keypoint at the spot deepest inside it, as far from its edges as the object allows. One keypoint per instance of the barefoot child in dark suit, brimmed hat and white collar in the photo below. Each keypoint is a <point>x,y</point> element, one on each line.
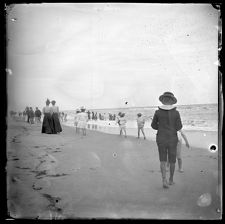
<point>167,122</point>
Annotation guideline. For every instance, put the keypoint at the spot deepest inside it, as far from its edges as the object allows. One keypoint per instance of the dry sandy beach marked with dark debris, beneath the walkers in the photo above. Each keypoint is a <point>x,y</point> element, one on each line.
<point>104,176</point>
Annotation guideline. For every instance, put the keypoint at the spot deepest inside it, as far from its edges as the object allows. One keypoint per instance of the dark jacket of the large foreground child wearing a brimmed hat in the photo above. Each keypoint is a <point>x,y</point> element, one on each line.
<point>167,123</point>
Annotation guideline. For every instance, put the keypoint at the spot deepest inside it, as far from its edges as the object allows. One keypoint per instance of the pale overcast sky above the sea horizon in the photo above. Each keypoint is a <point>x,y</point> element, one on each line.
<point>101,55</point>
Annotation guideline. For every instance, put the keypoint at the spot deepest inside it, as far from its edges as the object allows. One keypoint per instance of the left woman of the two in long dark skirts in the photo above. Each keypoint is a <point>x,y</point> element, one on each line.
<point>47,126</point>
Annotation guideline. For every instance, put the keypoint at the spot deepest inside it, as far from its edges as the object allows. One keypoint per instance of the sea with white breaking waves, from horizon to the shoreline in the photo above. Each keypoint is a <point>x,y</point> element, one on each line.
<point>198,117</point>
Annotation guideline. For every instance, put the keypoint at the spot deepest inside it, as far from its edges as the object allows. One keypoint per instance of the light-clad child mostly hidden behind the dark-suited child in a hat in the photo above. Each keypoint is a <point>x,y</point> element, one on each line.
<point>180,135</point>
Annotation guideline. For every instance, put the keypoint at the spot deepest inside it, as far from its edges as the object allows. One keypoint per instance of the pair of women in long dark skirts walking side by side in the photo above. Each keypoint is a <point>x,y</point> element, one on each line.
<point>51,123</point>
